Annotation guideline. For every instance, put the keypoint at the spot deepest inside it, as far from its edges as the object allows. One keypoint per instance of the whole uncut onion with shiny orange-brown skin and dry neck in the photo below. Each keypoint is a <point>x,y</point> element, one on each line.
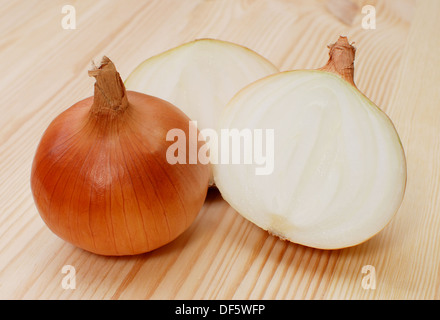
<point>100,176</point>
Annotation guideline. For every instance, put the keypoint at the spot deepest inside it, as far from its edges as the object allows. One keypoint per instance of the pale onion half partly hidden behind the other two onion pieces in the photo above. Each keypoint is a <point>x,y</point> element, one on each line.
<point>200,77</point>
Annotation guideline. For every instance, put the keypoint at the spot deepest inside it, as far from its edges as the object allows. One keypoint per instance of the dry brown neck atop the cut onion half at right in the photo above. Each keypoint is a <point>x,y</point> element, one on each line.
<point>341,62</point>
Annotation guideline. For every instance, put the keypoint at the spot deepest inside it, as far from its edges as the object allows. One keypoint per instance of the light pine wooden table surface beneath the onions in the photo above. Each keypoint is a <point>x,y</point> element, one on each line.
<point>222,256</point>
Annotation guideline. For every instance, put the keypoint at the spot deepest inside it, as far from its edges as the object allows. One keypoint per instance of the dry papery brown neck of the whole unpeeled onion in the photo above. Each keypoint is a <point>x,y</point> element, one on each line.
<point>110,95</point>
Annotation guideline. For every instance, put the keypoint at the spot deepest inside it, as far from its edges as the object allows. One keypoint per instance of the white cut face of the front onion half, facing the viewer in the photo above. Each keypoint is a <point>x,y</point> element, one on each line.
<point>339,170</point>
